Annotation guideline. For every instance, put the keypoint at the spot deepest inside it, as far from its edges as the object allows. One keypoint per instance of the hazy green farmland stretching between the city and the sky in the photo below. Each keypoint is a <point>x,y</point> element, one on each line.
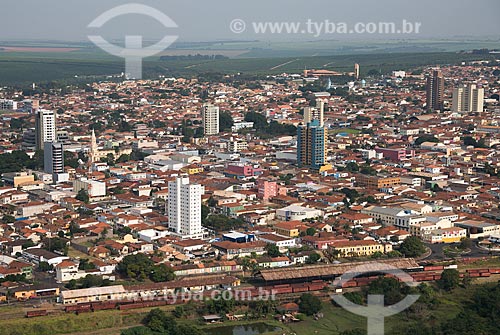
<point>86,63</point>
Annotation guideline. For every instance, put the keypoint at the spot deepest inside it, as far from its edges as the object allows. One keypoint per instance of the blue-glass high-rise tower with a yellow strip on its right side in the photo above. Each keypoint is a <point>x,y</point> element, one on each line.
<point>311,145</point>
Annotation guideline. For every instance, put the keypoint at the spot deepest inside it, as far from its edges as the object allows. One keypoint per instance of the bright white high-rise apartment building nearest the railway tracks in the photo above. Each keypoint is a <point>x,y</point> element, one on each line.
<point>184,207</point>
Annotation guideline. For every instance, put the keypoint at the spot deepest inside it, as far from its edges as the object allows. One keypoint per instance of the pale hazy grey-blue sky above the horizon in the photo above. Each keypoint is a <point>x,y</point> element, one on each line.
<point>205,20</point>
